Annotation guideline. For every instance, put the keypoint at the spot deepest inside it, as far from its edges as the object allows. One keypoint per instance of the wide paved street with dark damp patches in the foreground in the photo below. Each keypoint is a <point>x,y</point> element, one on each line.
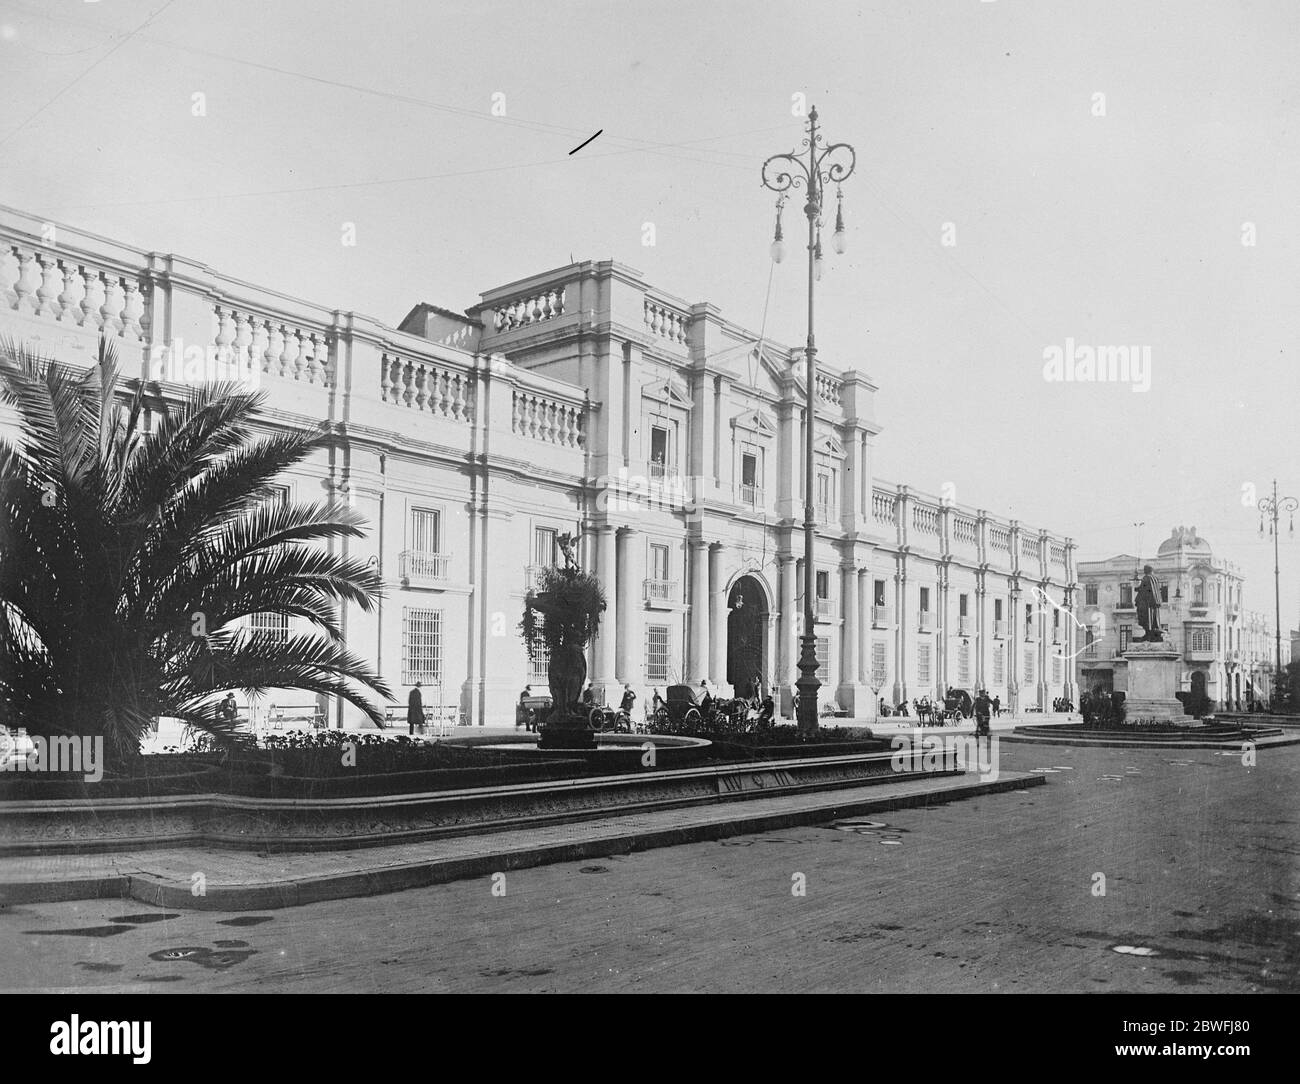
<point>1201,856</point>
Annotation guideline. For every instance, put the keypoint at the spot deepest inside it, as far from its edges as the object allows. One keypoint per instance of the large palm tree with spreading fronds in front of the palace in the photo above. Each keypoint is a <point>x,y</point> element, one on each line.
<point>131,554</point>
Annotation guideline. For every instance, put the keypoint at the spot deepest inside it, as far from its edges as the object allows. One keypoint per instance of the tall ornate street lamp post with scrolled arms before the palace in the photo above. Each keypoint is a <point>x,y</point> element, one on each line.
<point>825,164</point>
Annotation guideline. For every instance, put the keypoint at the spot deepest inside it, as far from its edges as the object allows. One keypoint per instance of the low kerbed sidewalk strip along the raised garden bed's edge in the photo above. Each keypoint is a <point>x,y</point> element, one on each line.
<point>224,881</point>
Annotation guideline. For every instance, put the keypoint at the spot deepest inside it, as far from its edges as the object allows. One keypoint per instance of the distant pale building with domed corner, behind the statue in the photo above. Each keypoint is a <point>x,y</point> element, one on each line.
<point>1201,612</point>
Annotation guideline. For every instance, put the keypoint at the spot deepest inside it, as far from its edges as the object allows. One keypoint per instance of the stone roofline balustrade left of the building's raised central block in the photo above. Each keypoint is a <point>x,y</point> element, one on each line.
<point>63,289</point>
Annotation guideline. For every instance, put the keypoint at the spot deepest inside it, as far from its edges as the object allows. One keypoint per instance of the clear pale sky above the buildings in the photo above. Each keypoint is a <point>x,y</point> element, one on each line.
<point>1104,222</point>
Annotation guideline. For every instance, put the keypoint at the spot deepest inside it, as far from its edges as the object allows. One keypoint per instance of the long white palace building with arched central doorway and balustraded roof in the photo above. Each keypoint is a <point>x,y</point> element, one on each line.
<point>587,401</point>
